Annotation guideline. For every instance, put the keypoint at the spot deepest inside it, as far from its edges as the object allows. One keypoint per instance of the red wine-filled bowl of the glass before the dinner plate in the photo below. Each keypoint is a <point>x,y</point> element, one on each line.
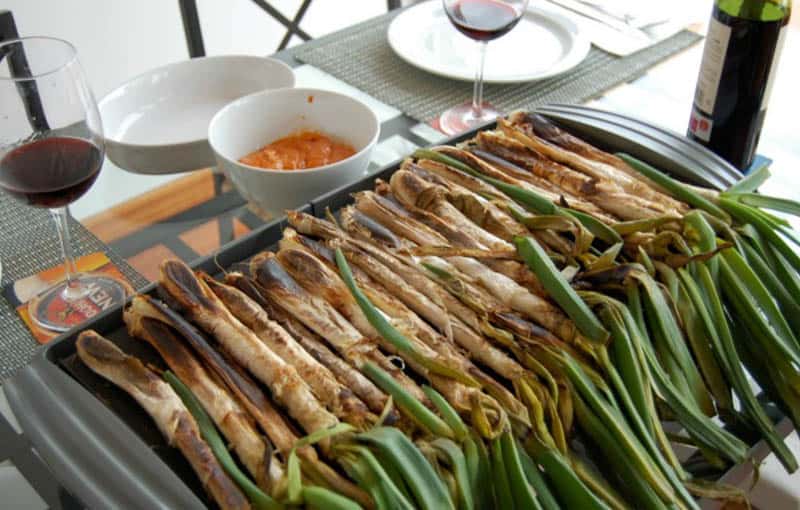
<point>483,20</point>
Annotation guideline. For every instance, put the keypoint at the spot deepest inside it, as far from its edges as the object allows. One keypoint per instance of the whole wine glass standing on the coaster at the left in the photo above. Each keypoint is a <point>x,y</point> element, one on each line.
<point>51,152</point>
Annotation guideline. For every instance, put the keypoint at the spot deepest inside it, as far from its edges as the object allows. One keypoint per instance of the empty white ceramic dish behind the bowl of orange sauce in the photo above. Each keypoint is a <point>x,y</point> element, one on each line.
<point>157,122</point>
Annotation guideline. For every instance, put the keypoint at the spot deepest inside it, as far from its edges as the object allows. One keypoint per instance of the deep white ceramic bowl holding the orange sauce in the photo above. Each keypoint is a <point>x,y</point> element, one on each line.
<point>251,122</point>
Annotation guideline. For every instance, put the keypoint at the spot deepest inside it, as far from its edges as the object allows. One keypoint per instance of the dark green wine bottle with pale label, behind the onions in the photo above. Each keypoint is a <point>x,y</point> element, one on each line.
<point>738,71</point>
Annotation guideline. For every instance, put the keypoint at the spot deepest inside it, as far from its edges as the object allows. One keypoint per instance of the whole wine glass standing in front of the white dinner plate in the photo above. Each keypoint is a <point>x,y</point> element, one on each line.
<point>482,21</point>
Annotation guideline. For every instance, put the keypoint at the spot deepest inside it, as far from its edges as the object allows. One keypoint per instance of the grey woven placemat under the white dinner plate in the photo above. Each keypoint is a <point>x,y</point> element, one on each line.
<point>361,56</point>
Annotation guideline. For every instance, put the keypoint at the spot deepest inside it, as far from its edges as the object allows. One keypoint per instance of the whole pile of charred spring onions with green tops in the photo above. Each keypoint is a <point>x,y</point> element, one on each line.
<point>562,301</point>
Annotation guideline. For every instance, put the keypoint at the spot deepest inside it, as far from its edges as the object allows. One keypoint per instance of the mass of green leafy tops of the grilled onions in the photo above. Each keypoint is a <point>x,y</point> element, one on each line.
<point>673,343</point>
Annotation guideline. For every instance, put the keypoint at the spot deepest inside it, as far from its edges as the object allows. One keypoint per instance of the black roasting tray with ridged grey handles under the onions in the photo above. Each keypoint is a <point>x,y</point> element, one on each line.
<point>105,450</point>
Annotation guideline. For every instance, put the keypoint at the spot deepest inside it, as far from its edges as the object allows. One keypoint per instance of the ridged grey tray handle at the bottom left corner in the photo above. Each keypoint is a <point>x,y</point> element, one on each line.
<point>98,459</point>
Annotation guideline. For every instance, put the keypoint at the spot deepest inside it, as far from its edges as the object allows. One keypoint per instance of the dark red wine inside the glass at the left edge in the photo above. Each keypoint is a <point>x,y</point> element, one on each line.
<point>51,172</point>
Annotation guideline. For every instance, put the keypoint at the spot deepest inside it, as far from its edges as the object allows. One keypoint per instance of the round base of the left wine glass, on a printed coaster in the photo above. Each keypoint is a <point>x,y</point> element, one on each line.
<point>62,306</point>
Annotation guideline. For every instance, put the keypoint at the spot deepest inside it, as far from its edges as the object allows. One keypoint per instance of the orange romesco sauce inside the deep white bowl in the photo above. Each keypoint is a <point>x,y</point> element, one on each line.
<point>306,149</point>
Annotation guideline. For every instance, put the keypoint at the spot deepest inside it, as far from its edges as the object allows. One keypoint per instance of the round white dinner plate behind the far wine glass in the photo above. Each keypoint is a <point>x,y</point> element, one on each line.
<point>543,44</point>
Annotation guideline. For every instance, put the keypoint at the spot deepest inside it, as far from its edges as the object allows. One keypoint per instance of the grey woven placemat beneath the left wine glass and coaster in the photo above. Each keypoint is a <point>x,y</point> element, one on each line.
<point>29,244</point>
